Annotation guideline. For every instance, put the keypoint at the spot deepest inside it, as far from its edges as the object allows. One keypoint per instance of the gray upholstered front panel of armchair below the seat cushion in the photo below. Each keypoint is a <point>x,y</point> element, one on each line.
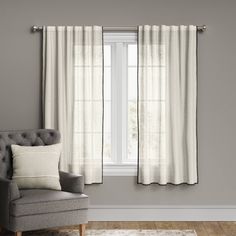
<point>50,220</point>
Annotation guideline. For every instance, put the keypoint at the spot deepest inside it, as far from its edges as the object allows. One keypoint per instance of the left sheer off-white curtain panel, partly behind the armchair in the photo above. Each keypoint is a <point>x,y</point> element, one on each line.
<point>73,95</point>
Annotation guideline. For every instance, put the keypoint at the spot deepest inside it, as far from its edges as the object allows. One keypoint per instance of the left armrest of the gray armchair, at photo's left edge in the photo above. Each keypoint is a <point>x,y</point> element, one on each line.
<point>8,192</point>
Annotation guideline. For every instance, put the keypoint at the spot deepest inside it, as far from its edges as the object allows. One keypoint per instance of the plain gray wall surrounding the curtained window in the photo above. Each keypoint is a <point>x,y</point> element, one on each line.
<point>20,84</point>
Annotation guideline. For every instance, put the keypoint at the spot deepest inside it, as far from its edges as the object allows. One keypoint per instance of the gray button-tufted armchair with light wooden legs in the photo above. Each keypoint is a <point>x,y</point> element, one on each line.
<point>33,209</point>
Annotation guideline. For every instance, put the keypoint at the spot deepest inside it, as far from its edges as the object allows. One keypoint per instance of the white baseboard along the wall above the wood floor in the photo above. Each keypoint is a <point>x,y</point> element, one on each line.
<point>162,213</point>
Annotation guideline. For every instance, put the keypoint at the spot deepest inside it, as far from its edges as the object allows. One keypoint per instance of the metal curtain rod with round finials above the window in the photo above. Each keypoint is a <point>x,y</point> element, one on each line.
<point>35,28</point>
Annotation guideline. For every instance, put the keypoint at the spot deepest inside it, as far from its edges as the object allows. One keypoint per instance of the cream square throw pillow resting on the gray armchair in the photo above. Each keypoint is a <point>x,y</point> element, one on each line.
<point>36,167</point>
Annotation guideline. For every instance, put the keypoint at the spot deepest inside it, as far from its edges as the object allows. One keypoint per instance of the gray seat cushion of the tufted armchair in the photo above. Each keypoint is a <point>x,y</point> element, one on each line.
<point>41,201</point>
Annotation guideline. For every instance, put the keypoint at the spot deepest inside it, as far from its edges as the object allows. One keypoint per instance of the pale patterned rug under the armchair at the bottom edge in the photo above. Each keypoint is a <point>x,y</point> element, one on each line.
<point>129,232</point>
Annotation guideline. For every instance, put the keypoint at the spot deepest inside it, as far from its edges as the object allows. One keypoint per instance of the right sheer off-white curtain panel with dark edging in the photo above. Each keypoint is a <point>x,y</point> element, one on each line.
<point>167,101</point>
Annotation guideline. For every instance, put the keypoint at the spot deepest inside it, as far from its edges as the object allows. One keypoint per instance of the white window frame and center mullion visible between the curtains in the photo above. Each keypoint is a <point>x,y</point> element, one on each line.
<point>119,116</point>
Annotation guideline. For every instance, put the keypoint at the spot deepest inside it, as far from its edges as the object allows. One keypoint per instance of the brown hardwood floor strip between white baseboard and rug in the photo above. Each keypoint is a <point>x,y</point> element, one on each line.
<point>202,228</point>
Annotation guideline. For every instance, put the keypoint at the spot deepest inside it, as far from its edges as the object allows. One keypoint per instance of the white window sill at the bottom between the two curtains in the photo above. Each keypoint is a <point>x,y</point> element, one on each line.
<point>120,170</point>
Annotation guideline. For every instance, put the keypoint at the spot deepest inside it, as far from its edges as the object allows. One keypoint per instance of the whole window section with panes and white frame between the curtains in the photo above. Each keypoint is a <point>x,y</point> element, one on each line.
<point>120,104</point>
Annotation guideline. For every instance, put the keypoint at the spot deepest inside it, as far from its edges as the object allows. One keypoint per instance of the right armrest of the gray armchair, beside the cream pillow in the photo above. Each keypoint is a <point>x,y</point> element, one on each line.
<point>71,183</point>
